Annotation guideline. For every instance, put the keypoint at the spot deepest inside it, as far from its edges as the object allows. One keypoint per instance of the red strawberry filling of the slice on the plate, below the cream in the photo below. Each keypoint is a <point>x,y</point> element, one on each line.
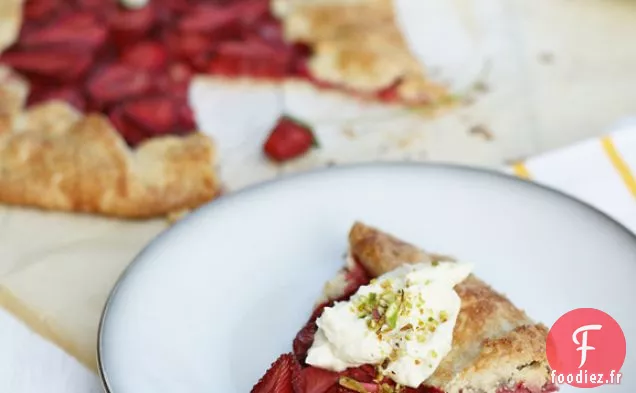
<point>290,374</point>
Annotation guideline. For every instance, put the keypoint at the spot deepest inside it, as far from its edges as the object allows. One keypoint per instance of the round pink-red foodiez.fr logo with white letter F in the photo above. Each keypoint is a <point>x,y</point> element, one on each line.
<point>586,348</point>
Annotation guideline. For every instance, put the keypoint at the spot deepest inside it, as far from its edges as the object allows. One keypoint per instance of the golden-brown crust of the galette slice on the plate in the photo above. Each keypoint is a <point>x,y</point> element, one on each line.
<point>495,344</point>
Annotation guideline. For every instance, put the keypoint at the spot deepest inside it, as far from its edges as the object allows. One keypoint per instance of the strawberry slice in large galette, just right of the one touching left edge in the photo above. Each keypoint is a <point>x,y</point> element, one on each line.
<point>118,82</point>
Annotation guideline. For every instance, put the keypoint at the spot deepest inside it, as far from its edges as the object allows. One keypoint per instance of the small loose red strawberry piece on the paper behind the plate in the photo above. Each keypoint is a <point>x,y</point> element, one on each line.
<point>289,139</point>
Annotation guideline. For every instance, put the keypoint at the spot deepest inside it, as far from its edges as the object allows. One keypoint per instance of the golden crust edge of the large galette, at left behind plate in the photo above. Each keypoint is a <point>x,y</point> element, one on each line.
<point>52,157</point>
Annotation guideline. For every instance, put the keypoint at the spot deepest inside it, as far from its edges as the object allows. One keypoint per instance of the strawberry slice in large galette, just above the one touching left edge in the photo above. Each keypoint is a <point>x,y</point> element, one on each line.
<point>80,30</point>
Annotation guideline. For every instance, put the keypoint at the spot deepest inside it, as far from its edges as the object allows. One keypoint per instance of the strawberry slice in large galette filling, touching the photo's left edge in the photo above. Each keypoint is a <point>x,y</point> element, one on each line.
<point>61,65</point>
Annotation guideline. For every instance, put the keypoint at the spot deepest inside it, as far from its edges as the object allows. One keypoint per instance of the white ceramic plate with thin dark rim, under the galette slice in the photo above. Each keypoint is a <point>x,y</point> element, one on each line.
<point>212,302</point>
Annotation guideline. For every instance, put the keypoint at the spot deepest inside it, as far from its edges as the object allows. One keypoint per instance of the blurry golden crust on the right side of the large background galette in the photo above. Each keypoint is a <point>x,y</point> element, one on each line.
<point>357,44</point>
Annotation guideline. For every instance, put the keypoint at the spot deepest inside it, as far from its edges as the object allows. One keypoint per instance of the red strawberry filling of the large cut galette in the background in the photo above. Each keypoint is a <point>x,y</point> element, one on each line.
<point>135,65</point>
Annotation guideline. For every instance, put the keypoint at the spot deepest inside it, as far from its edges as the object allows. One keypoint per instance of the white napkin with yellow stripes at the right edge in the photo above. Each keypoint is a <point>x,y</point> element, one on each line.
<point>600,172</point>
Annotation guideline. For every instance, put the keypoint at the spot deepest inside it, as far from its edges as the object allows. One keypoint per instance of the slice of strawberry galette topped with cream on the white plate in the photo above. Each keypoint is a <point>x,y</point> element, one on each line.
<point>398,319</point>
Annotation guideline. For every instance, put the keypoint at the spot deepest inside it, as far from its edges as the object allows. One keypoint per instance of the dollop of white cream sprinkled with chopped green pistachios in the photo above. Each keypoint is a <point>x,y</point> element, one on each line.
<point>402,321</point>
